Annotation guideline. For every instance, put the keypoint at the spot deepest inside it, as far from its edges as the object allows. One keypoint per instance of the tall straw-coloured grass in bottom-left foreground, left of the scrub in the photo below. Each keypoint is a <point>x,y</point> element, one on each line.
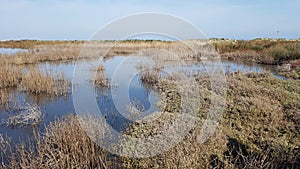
<point>63,145</point>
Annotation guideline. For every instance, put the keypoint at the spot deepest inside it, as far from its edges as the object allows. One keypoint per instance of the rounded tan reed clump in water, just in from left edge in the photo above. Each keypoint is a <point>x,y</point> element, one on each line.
<point>37,82</point>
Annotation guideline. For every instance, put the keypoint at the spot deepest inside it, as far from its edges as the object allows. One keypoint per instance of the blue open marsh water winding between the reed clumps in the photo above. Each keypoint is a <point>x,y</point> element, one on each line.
<point>113,102</point>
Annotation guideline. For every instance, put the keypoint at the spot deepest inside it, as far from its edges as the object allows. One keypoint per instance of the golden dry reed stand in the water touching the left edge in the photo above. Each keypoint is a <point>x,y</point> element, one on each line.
<point>33,81</point>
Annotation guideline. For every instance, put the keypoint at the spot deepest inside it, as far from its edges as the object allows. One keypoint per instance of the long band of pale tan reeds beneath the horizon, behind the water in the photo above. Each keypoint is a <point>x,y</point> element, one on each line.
<point>43,51</point>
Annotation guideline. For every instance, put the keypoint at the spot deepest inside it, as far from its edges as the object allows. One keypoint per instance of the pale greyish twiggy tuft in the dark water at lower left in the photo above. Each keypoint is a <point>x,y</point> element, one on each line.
<point>29,115</point>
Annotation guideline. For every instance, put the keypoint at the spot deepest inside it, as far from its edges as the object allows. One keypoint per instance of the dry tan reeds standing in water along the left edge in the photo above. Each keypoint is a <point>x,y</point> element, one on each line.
<point>38,86</point>
